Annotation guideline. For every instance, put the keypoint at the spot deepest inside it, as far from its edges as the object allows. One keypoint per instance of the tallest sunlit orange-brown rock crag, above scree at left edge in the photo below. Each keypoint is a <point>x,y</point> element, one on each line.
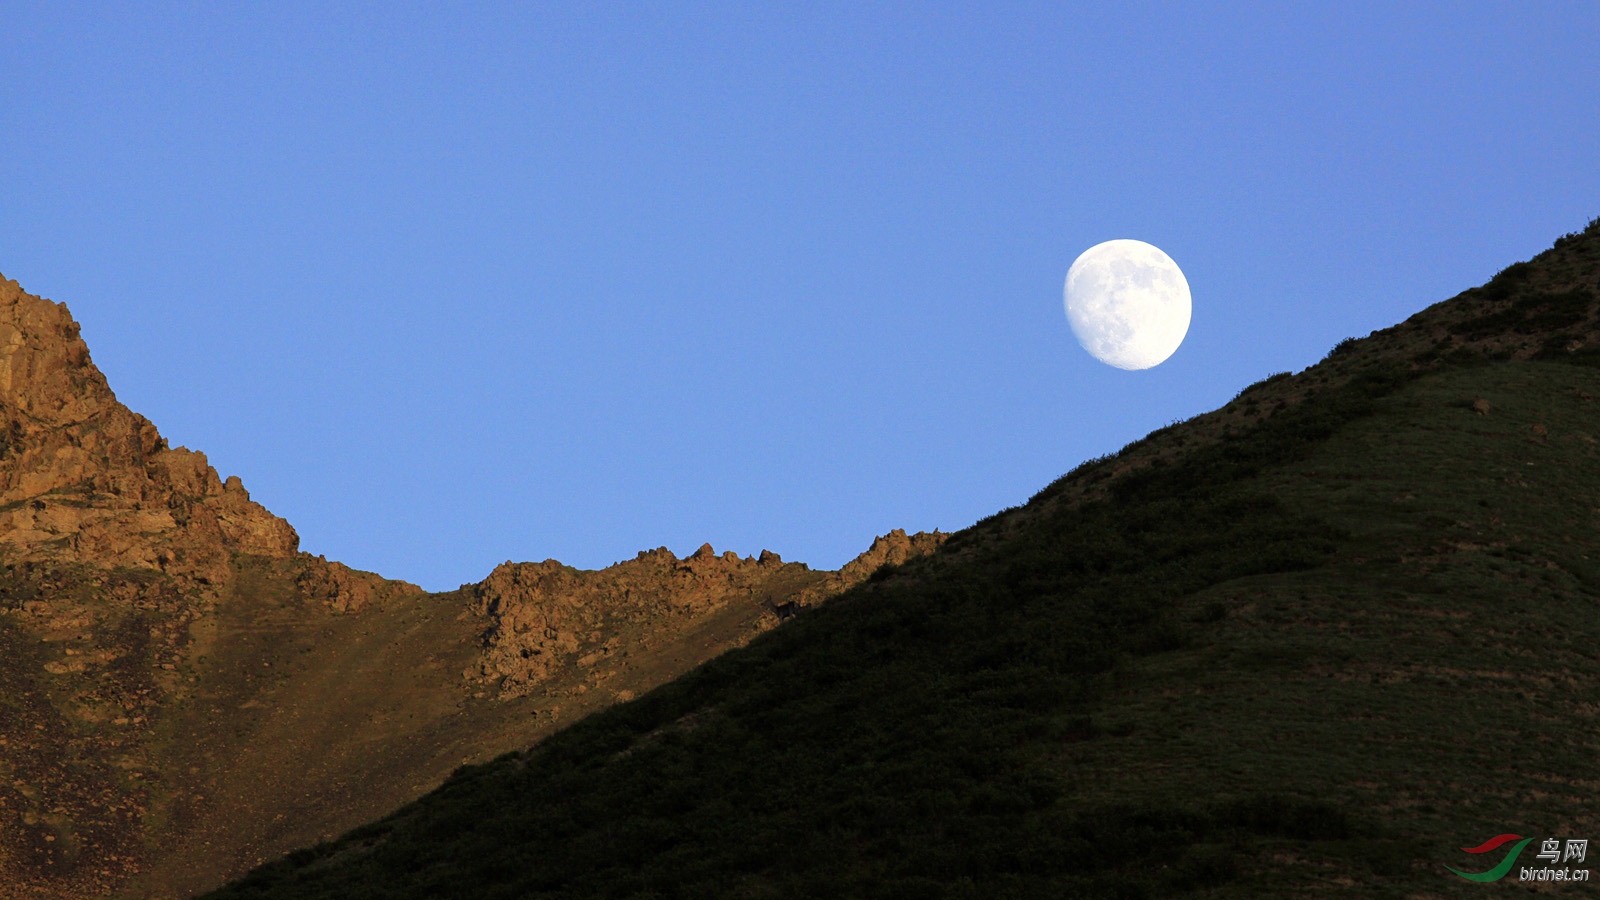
<point>86,480</point>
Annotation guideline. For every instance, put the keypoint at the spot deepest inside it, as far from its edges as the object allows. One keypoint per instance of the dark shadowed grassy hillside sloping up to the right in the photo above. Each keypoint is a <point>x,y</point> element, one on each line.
<point>1310,645</point>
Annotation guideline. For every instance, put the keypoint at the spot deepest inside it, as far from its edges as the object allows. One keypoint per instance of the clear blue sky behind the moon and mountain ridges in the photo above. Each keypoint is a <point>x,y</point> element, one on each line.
<point>455,284</point>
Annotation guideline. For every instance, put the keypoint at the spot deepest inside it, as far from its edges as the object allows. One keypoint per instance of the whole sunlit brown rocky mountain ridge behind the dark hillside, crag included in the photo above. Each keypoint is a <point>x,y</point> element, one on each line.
<point>183,694</point>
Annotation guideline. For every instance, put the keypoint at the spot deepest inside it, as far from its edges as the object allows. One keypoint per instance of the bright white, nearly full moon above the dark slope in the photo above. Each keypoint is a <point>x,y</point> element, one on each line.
<point>1129,303</point>
